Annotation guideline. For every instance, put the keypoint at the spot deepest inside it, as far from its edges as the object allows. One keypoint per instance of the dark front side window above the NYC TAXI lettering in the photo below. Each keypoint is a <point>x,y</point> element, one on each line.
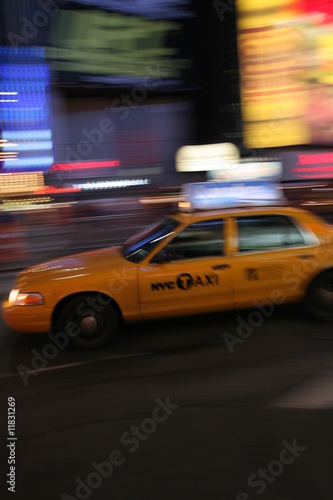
<point>201,239</point>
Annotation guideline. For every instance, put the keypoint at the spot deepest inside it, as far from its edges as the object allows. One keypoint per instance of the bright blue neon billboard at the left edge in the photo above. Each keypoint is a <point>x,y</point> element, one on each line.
<point>24,70</point>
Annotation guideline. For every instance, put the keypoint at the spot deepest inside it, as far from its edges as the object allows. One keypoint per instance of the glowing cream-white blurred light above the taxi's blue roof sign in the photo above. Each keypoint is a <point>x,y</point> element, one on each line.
<point>207,157</point>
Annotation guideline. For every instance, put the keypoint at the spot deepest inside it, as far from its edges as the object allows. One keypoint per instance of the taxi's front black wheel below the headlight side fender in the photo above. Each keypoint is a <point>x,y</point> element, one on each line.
<point>89,323</point>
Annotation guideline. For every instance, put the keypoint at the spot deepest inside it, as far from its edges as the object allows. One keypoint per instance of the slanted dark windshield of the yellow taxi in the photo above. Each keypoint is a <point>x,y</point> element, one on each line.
<point>137,247</point>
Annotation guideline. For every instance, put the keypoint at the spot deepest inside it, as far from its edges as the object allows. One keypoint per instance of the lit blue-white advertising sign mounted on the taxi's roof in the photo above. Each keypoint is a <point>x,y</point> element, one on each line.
<point>219,195</point>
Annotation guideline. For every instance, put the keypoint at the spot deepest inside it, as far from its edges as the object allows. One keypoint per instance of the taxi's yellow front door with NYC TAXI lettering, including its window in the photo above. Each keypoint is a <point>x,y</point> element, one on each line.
<point>197,278</point>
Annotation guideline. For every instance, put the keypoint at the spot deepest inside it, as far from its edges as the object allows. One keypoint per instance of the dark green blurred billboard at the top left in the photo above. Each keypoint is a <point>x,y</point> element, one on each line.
<point>123,44</point>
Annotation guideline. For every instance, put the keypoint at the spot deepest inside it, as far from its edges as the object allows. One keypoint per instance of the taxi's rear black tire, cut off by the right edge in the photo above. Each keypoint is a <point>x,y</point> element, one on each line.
<point>319,299</point>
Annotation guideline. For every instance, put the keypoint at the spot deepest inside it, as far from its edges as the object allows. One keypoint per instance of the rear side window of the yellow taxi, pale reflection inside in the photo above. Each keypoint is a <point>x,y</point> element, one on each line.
<point>268,232</point>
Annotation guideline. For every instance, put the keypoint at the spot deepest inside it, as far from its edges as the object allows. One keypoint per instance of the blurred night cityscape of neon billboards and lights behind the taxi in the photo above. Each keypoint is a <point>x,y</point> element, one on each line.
<point>97,97</point>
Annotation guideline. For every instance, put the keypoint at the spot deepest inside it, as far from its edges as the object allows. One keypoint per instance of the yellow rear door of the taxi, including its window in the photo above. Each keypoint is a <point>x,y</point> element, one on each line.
<point>273,260</point>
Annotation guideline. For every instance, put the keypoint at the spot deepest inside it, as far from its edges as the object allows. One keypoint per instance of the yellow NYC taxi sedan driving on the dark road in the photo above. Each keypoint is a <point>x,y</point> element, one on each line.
<point>186,263</point>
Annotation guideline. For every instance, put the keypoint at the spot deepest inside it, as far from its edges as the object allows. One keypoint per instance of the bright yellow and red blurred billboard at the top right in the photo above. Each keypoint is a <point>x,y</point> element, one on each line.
<point>286,66</point>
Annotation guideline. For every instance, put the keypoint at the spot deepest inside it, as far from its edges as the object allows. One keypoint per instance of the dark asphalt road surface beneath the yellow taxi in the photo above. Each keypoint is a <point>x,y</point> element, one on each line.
<point>168,412</point>
